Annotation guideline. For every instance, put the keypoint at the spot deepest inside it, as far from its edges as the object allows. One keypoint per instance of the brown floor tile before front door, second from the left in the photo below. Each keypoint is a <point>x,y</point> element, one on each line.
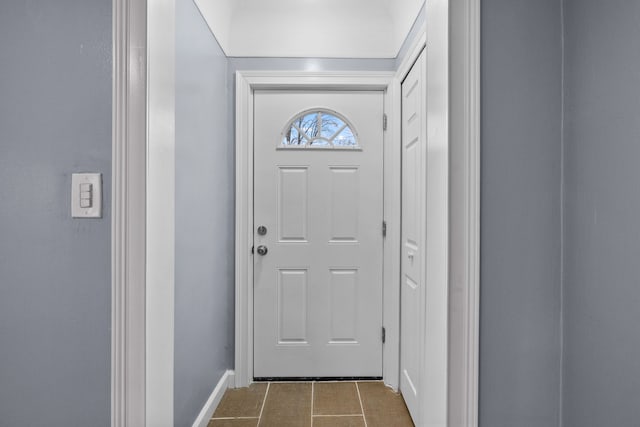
<point>287,405</point>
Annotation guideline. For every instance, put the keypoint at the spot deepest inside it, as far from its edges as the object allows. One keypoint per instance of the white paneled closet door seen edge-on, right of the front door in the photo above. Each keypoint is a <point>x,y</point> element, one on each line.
<point>412,290</point>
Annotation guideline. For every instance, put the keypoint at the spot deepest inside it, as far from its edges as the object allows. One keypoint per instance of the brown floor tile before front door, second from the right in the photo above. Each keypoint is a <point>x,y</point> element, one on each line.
<point>336,399</point>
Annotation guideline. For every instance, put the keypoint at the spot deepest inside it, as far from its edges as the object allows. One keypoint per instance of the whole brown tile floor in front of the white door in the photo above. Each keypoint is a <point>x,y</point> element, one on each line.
<point>312,404</point>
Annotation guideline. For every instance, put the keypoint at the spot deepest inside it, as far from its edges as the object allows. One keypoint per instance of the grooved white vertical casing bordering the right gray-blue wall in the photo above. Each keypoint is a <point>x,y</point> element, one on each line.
<point>464,292</point>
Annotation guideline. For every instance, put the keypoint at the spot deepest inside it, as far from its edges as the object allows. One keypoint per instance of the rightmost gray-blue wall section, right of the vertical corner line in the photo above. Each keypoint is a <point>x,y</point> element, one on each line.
<point>602,214</point>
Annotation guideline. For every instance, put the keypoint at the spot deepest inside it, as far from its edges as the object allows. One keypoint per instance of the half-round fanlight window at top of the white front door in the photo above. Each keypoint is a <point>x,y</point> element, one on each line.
<point>319,128</point>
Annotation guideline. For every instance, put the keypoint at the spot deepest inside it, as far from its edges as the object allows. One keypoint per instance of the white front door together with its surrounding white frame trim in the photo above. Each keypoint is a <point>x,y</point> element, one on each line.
<point>291,195</point>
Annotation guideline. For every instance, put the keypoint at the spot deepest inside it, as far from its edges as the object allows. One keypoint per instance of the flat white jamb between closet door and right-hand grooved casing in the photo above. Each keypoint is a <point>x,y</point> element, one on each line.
<point>436,327</point>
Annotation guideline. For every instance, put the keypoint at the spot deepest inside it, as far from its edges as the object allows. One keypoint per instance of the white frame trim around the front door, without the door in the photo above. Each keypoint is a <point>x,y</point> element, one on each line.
<point>246,83</point>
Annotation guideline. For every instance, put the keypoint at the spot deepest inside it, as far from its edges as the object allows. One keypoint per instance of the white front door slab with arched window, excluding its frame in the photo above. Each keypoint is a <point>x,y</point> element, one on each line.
<point>318,207</point>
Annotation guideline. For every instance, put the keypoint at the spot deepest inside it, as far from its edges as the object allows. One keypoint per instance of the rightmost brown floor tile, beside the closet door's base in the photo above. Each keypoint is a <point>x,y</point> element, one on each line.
<point>382,407</point>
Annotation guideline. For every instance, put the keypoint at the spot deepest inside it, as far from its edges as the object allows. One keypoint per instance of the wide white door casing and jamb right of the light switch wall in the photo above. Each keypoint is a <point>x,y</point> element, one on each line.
<point>142,255</point>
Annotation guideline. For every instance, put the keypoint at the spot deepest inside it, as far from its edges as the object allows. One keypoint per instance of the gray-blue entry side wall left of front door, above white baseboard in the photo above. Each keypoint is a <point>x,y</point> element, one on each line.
<point>204,286</point>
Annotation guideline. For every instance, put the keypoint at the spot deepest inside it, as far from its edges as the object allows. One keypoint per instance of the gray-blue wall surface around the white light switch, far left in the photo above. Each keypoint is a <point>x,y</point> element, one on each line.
<point>55,290</point>
